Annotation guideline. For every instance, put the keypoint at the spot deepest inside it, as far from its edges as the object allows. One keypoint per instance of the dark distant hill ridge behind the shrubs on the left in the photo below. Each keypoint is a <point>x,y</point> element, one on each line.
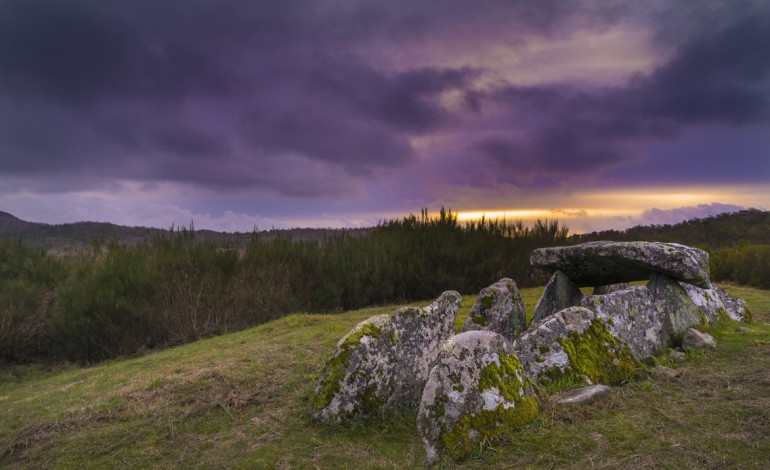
<point>75,237</point>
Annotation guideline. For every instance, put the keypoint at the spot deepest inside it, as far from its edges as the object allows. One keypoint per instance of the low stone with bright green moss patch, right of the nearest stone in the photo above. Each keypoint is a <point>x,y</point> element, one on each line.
<point>574,345</point>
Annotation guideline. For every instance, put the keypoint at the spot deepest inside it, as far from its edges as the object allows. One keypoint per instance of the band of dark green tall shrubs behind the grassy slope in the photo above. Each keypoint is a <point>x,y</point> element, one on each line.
<point>119,300</point>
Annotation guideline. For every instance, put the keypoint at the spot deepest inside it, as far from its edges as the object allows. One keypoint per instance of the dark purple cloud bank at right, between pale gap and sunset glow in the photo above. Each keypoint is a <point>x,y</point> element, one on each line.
<point>721,77</point>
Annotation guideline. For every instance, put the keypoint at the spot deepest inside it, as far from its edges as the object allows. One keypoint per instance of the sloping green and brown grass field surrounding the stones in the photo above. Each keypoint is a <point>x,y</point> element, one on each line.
<point>239,401</point>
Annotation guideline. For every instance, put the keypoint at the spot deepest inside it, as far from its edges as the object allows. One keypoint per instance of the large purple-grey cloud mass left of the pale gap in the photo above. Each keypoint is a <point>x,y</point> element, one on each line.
<point>104,84</point>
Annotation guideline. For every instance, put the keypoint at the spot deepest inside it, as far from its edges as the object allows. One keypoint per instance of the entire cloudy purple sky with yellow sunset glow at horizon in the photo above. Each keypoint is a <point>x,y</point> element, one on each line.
<point>244,114</point>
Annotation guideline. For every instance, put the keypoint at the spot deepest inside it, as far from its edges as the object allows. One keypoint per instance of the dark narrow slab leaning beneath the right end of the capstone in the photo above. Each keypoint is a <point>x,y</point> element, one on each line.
<point>674,304</point>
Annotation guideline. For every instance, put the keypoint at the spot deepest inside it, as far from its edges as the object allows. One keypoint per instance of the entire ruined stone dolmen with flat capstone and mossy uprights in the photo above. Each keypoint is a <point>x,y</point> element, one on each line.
<point>491,376</point>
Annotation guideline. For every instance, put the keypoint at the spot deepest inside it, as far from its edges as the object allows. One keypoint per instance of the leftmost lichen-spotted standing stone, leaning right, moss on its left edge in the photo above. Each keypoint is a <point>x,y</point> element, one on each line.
<point>383,363</point>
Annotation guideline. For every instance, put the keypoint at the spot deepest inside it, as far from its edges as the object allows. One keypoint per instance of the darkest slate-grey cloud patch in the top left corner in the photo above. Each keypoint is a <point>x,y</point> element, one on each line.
<point>76,53</point>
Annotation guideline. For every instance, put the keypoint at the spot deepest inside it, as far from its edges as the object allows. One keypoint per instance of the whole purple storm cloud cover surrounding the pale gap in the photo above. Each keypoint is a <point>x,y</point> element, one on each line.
<point>230,93</point>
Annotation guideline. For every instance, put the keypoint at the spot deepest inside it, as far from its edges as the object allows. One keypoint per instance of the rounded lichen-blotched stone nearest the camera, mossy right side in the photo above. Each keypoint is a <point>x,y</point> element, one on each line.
<point>476,389</point>
